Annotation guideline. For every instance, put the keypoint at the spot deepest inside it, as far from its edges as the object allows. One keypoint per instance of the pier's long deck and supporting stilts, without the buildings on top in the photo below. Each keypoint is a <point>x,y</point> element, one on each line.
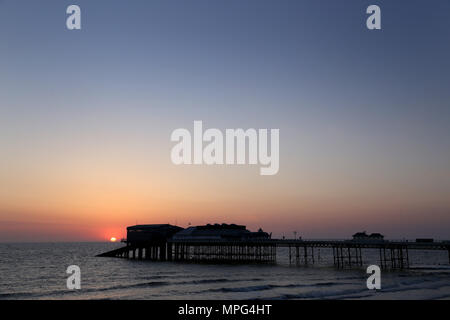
<point>392,254</point>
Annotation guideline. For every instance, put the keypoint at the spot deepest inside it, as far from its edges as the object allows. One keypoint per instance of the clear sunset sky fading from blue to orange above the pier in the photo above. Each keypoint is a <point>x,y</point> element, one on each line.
<point>86,116</point>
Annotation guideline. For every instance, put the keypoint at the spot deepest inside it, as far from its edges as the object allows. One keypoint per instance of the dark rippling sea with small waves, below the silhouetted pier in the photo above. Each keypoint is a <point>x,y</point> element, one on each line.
<point>38,271</point>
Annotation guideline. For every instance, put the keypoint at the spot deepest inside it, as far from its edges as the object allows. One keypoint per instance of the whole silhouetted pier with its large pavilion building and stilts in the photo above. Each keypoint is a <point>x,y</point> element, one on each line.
<point>169,244</point>
